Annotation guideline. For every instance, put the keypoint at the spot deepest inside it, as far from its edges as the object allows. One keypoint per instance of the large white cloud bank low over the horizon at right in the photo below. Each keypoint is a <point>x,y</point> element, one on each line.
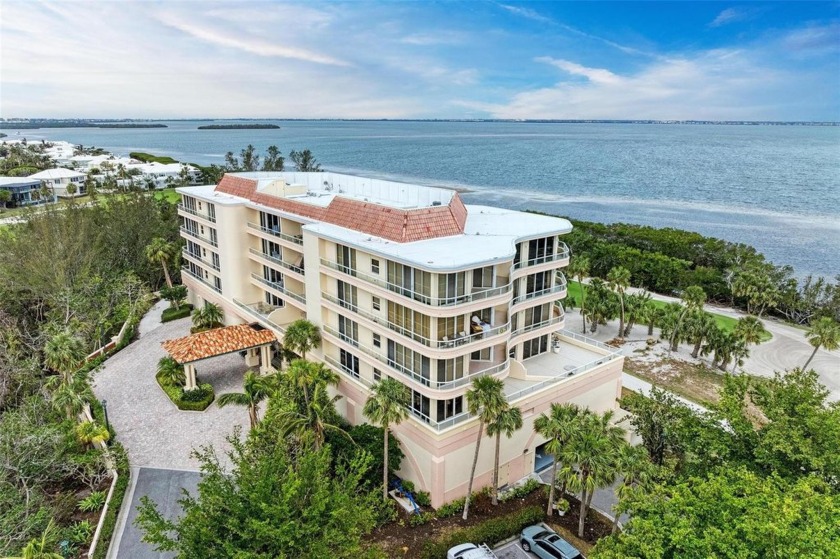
<point>715,85</point>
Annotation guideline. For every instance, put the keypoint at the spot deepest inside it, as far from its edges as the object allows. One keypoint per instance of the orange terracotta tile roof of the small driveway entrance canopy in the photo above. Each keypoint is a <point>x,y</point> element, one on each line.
<point>216,342</point>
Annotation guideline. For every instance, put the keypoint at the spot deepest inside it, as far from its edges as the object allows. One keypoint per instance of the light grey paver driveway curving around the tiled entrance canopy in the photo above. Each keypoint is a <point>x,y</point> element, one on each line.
<point>155,432</point>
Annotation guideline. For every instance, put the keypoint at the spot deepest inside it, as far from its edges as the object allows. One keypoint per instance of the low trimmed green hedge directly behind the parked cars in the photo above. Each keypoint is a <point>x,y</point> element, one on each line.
<point>489,532</point>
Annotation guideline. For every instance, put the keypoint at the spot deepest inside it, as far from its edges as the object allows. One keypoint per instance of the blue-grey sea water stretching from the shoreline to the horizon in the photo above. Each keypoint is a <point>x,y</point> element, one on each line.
<point>776,188</point>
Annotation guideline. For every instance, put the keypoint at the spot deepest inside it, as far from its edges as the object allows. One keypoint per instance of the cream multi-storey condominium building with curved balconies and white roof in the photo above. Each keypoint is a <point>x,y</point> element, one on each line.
<point>407,282</point>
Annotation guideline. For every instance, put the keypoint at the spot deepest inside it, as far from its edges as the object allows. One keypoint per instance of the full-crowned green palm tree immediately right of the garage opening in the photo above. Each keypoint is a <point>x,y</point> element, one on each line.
<point>593,449</point>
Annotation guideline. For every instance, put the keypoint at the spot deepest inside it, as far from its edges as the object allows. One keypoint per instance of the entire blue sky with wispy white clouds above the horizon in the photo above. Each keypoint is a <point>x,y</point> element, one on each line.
<point>479,59</point>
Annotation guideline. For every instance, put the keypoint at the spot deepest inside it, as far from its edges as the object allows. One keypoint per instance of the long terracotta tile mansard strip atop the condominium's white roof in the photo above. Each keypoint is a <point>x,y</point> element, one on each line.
<point>394,224</point>
